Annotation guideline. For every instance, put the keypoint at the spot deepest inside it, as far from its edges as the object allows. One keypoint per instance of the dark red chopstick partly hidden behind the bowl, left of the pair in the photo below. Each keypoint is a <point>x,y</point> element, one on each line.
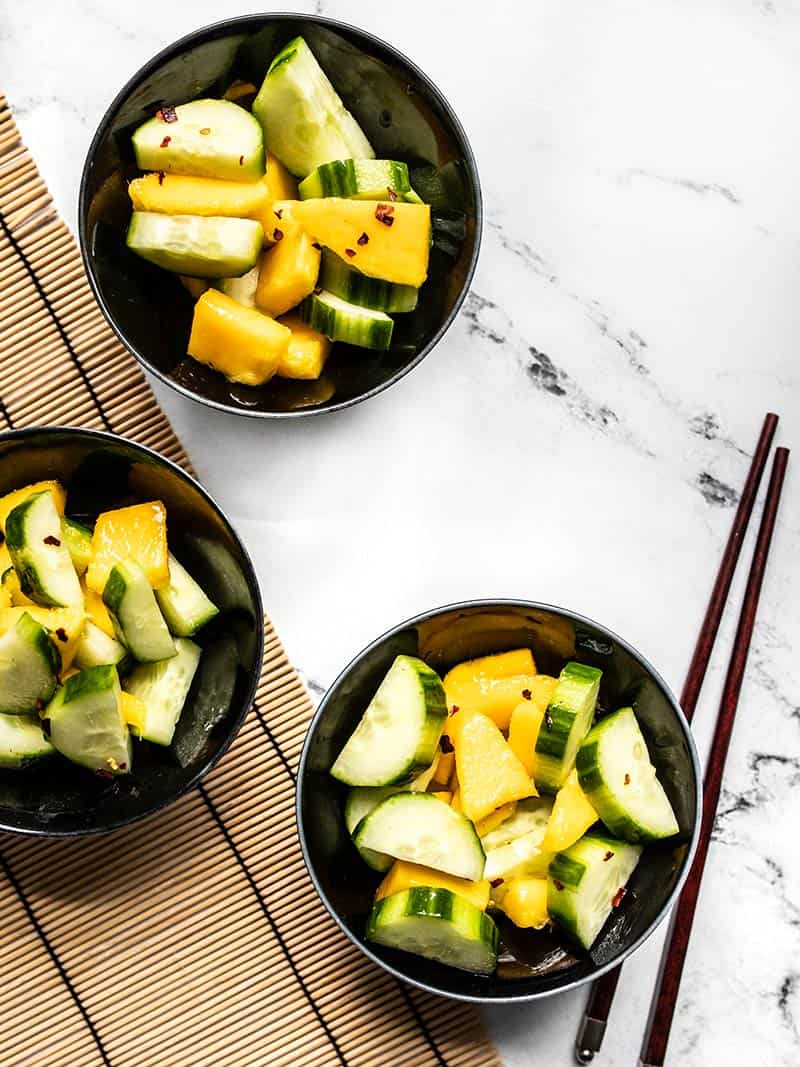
<point>596,1018</point>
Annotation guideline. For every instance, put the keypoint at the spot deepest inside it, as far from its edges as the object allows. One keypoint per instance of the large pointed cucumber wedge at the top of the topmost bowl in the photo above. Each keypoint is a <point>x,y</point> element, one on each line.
<point>303,119</point>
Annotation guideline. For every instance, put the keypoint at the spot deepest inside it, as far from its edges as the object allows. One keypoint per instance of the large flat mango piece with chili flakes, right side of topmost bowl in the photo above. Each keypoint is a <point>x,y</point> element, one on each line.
<point>398,236</point>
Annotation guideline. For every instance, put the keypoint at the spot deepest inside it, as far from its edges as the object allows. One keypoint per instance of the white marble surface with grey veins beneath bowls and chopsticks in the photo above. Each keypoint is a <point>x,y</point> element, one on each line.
<point>581,434</point>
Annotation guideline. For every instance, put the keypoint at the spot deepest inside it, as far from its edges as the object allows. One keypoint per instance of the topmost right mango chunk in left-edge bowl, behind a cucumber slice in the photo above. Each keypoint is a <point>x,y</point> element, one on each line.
<point>137,533</point>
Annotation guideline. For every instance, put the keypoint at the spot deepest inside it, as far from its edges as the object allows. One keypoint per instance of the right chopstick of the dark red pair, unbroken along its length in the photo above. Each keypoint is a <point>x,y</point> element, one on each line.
<point>658,1033</point>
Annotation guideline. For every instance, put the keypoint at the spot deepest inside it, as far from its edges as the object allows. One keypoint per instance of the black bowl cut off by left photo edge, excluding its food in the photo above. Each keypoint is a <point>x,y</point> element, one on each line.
<point>102,471</point>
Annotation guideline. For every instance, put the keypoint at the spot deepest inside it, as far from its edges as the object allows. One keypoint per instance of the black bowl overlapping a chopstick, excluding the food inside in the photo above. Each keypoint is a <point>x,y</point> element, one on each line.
<point>534,964</point>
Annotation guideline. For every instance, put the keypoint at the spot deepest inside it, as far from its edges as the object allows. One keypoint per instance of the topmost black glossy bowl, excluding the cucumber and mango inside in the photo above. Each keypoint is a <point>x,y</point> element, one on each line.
<point>405,117</point>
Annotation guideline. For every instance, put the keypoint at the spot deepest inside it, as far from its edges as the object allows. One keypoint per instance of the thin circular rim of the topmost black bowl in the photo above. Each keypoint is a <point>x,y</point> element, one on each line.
<point>243,22</point>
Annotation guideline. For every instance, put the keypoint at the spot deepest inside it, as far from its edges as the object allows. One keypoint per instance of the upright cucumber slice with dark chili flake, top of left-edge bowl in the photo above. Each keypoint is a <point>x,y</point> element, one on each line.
<point>39,553</point>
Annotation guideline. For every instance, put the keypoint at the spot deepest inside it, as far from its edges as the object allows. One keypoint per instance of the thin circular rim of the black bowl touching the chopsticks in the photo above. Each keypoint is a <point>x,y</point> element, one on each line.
<point>689,858</point>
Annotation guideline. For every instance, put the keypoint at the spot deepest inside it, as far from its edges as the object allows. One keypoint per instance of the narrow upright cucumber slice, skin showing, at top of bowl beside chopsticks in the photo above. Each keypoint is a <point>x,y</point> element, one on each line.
<point>566,724</point>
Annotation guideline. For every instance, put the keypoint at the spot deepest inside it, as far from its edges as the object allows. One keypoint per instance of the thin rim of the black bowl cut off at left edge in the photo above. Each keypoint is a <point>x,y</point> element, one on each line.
<point>250,575</point>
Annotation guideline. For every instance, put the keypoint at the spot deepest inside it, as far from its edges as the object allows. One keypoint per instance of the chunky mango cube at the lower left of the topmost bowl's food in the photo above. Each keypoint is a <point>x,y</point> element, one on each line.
<point>242,343</point>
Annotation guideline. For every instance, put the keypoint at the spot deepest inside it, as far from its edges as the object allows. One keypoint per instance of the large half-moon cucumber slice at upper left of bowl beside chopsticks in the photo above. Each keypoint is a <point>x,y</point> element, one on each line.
<point>399,732</point>
